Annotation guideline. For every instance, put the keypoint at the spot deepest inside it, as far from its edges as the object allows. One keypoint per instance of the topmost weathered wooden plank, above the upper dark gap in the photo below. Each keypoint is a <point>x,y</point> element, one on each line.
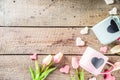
<point>53,12</point>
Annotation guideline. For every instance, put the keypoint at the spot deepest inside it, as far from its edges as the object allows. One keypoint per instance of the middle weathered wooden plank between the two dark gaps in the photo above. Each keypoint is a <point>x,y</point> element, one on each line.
<point>44,40</point>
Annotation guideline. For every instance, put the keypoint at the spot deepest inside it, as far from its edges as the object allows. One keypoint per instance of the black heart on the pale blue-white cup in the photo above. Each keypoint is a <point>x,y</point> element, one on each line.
<point>112,28</point>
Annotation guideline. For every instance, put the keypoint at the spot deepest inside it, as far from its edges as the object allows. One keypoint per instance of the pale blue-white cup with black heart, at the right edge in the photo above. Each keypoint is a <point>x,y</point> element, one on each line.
<point>108,30</point>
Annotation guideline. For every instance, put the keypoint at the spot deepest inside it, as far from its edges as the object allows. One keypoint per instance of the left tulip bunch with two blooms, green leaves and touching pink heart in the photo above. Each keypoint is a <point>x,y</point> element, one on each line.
<point>42,71</point>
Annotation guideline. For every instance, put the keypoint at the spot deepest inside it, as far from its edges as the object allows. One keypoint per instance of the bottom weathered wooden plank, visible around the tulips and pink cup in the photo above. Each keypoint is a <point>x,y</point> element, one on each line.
<point>16,68</point>
